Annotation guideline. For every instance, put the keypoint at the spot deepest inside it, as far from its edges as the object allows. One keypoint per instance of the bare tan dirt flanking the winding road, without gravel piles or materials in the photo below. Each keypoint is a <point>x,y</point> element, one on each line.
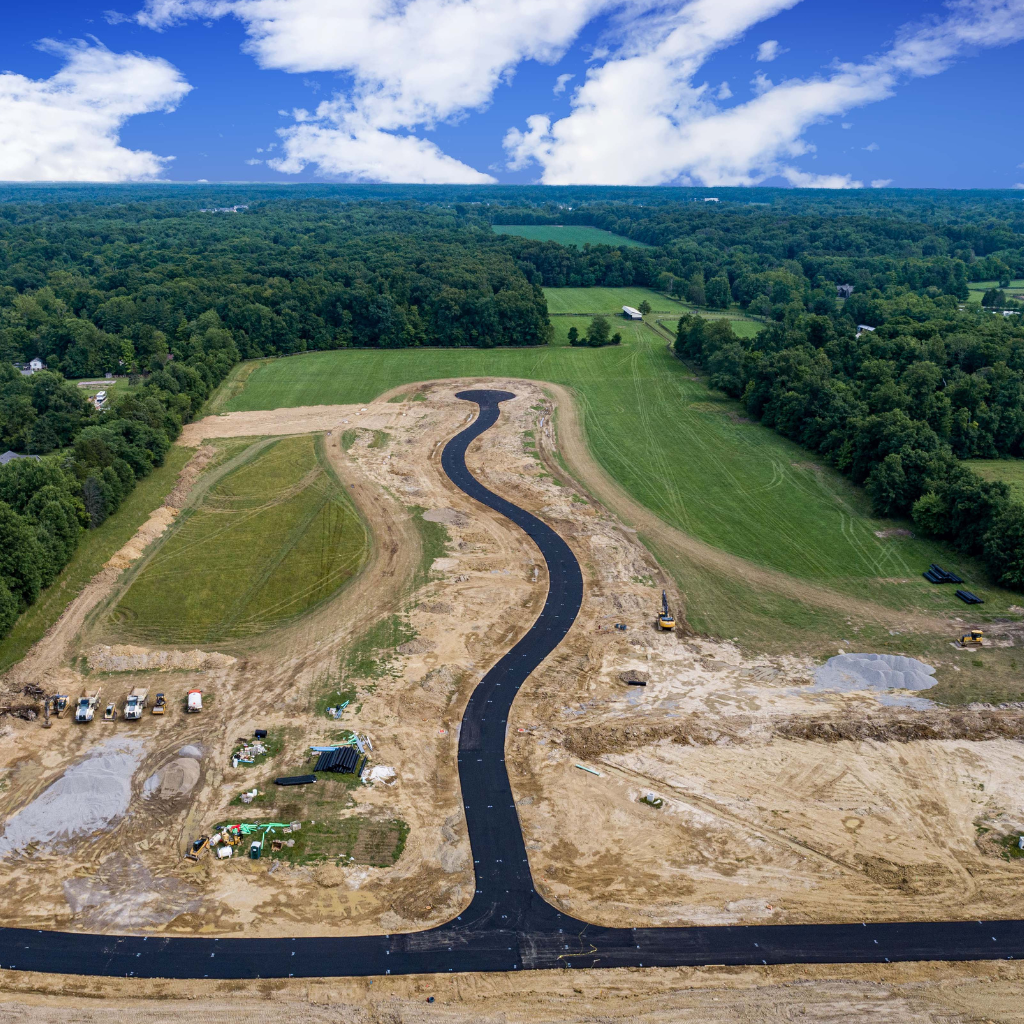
<point>727,792</point>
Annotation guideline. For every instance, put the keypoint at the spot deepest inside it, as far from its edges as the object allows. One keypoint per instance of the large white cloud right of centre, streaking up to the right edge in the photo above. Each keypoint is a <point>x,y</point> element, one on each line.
<point>647,94</point>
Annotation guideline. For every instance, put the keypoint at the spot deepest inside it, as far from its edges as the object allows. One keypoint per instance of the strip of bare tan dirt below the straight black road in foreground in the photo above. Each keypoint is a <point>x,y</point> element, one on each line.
<point>899,994</point>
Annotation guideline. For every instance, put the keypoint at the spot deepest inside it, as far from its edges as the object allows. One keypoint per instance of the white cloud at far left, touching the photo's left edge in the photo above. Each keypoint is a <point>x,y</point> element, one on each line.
<point>67,129</point>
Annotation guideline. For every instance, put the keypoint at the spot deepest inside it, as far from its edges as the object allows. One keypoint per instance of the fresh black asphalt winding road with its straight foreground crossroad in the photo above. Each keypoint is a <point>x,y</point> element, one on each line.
<point>507,926</point>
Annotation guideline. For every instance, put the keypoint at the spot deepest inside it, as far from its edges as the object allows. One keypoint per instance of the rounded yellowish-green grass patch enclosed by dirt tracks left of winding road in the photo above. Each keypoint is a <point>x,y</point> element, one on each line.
<point>273,536</point>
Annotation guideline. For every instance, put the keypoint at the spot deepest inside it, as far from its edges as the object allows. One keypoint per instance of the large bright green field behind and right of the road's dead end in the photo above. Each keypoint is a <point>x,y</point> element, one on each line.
<point>691,456</point>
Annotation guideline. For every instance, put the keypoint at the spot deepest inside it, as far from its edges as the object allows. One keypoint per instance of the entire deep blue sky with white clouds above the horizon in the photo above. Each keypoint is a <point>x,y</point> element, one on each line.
<point>804,93</point>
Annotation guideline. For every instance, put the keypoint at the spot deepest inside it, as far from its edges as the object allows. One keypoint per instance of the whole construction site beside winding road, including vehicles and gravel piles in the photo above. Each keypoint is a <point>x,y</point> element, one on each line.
<point>304,781</point>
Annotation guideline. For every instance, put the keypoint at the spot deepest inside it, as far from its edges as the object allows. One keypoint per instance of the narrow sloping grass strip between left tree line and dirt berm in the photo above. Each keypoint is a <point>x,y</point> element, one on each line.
<point>95,549</point>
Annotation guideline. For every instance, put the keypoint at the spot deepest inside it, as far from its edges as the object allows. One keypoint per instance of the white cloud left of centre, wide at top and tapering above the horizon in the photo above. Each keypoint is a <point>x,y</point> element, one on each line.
<point>413,65</point>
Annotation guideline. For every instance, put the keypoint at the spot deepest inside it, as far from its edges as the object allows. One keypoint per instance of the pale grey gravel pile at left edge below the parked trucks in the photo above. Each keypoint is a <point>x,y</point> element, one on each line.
<point>90,797</point>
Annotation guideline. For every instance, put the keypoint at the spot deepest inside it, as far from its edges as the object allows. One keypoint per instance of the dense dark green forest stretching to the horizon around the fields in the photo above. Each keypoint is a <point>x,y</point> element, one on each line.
<point>141,281</point>
